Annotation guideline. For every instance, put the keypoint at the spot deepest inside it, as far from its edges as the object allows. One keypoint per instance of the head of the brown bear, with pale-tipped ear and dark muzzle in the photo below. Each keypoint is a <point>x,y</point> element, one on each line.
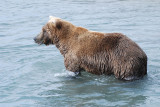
<point>55,30</point>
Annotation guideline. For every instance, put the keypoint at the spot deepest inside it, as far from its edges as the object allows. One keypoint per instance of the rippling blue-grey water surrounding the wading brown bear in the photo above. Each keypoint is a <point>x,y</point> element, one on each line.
<point>35,76</point>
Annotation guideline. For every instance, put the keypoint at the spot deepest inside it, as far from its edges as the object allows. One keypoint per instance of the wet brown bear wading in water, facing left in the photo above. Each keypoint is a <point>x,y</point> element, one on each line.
<point>94,52</point>
